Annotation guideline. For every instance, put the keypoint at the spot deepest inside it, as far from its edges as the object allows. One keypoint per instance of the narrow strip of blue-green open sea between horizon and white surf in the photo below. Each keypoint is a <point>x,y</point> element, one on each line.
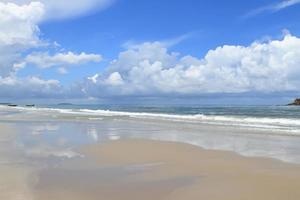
<point>290,112</point>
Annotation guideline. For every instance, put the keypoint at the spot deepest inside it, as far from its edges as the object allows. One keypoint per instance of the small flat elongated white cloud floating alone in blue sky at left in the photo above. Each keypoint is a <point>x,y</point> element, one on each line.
<point>44,60</point>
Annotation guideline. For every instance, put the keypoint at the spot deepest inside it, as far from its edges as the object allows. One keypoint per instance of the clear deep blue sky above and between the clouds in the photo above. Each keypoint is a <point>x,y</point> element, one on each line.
<point>207,24</point>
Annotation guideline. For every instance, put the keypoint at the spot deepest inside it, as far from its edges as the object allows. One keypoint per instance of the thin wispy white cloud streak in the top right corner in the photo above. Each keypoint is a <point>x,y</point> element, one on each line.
<point>273,7</point>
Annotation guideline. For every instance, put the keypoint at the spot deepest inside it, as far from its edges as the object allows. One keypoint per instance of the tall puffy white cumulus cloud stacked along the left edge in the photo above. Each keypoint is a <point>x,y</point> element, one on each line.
<point>18,33</point>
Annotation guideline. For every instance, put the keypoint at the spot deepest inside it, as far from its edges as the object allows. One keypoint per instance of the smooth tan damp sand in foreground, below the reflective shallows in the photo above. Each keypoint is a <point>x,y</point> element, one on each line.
<point>144,169</point>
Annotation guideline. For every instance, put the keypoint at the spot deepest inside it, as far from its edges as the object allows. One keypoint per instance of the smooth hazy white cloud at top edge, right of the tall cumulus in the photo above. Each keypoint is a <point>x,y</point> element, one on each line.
<point>59,9</point>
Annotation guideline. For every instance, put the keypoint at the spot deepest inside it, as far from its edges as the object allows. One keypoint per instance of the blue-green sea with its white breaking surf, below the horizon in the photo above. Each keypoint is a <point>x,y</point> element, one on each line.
<point>273,118</point>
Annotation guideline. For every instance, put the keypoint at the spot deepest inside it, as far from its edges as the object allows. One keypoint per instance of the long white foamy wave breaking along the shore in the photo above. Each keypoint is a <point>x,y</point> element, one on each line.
<point>291,125</point>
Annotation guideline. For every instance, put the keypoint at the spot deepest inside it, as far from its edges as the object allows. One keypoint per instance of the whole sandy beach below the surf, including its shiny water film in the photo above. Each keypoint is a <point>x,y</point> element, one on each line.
<point>46,156</point>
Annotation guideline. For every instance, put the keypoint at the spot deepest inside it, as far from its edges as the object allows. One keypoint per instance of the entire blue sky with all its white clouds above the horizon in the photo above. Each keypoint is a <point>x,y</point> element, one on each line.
<point>198,50</point>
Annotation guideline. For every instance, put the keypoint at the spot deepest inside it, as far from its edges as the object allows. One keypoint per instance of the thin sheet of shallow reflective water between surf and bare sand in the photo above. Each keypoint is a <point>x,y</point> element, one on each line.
<point>52,133</point>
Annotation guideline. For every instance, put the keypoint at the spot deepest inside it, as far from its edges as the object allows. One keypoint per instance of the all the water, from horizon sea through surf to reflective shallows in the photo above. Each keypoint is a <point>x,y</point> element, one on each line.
<point>45,132</point>
